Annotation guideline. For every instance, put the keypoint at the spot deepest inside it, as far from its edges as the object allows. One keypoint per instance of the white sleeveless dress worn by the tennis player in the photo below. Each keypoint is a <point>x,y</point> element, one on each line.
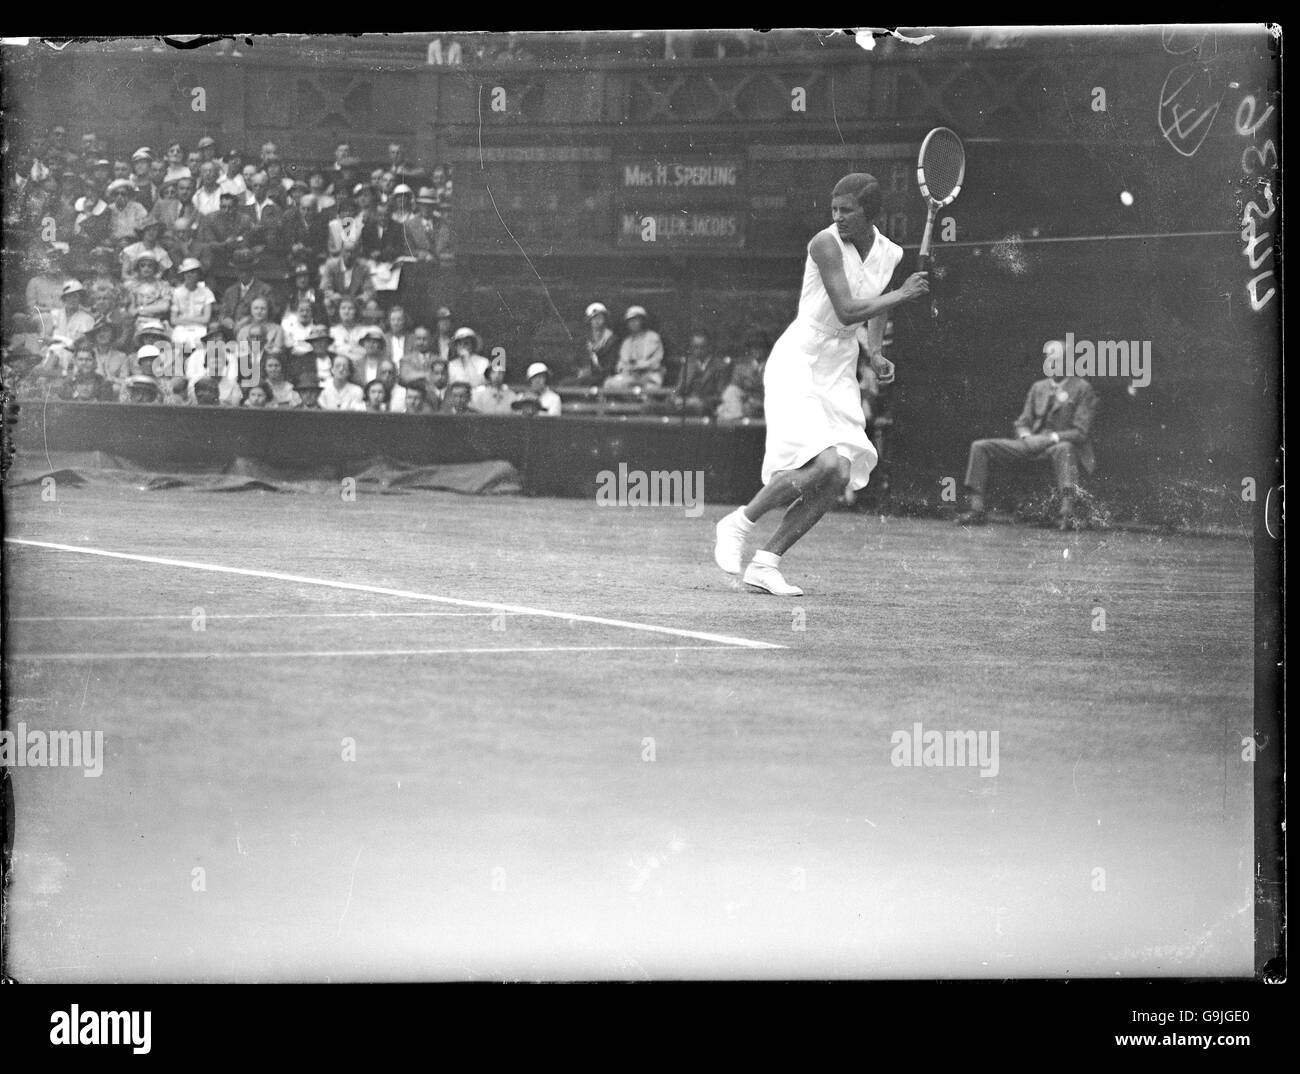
<point>811,388</point>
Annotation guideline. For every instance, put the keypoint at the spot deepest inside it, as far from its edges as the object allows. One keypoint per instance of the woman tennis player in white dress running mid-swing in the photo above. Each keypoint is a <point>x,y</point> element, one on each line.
<point>817,443</point>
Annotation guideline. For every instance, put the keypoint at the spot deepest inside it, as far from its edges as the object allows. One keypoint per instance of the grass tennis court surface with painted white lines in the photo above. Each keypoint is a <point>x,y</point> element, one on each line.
<point>501,817</point>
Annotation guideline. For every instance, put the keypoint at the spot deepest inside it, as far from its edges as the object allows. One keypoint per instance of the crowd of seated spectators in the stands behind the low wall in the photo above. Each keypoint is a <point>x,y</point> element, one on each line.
<point>200,278</point>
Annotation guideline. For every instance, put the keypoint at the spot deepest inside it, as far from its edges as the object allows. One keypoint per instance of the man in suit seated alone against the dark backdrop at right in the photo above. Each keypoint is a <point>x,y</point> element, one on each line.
<point>1055,427</point>
